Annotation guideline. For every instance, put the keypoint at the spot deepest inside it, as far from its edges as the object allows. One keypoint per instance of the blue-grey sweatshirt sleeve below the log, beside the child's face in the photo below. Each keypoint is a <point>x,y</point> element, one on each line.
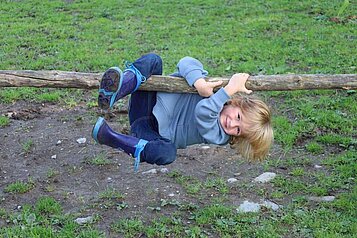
<point>207,115</point>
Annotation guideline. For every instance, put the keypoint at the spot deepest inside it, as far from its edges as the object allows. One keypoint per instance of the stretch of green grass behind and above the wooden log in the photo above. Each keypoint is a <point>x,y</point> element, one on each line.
<point>267,38</point>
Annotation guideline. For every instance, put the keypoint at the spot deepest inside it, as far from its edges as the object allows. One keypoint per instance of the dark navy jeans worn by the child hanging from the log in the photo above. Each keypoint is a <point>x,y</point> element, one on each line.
<point>143,123</point>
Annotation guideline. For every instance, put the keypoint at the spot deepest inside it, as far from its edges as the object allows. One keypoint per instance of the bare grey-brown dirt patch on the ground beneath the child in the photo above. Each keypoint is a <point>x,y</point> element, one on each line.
<point>63,169</point>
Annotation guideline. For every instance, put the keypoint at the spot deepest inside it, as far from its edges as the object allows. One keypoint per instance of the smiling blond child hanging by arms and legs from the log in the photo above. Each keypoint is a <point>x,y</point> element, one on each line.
<point>163,122</point>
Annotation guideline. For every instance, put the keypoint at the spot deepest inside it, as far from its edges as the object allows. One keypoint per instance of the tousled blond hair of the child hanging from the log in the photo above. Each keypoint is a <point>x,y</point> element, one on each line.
<point>257,137</point>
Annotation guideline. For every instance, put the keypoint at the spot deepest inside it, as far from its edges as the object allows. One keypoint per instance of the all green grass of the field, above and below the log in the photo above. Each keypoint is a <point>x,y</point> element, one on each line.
<point>258,37</point>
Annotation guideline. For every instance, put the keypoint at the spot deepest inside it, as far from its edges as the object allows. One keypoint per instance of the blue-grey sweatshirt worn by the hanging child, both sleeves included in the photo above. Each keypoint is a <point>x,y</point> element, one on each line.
<point>188,119</point>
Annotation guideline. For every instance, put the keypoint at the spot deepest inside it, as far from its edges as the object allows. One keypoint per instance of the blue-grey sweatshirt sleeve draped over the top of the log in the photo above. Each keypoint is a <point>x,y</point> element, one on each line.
<point>191,69</point>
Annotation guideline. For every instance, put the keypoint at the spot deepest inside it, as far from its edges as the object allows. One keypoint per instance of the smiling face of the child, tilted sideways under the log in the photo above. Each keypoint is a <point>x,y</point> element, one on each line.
<point>232,120</point>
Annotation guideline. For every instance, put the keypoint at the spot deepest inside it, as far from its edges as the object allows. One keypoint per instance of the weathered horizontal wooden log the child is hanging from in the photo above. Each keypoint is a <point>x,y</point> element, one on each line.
<point>63,79</point>
